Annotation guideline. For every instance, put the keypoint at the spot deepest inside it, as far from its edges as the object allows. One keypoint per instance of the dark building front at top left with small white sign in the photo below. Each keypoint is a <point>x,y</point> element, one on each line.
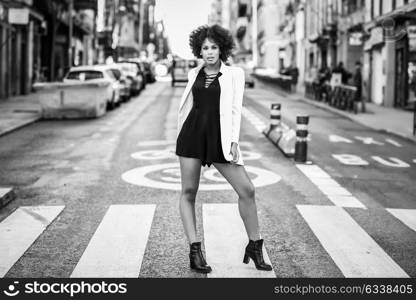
<point>41,39</point>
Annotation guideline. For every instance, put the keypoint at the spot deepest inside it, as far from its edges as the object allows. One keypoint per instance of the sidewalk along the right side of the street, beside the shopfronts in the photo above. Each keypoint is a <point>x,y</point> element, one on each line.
<point>391,120</point>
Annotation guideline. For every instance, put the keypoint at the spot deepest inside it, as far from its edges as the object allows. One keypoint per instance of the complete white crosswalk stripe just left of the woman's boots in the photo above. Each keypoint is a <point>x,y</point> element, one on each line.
<point>119,243</point>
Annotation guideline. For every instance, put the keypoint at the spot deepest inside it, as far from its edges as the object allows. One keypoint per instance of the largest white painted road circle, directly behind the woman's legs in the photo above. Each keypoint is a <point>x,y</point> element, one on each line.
<point>167,176</point>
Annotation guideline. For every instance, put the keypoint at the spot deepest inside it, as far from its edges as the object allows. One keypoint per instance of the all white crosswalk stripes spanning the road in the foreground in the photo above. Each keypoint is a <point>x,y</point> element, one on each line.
<point>117,247</point>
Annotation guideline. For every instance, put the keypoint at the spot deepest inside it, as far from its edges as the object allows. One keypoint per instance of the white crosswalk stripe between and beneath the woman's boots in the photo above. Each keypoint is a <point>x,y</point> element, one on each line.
<point>225,241</point>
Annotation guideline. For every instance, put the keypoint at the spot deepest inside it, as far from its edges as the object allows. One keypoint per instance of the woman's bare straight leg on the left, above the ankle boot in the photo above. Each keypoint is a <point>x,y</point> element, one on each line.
<point>190,174</point>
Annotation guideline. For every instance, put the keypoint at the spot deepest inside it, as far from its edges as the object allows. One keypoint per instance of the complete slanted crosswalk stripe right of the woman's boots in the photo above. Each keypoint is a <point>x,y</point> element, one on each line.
<point>354,252</point>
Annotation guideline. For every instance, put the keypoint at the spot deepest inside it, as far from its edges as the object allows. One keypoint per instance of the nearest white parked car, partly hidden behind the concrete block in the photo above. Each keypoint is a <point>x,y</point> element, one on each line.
<point>97,73</point>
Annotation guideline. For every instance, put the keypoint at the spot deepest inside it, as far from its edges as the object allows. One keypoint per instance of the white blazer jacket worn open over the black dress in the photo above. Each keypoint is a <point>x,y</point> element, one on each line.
<point>232,83</point>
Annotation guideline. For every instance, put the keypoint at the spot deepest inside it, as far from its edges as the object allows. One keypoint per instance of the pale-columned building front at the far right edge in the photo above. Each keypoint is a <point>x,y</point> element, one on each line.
<point>390,52</point>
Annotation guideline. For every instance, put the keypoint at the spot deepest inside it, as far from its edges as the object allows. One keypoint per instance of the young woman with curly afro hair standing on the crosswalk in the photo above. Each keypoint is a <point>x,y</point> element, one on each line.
<point>208,133</point>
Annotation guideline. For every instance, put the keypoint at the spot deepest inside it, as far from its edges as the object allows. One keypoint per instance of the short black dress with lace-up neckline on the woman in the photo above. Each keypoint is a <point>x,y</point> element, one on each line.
<point>200,136</point>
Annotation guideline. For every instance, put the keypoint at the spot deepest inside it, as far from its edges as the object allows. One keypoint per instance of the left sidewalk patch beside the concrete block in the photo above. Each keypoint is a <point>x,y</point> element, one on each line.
<point>18,111</point>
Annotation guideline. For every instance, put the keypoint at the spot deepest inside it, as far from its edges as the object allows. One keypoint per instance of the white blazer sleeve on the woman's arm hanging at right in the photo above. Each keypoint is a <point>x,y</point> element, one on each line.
<point>238,91</point>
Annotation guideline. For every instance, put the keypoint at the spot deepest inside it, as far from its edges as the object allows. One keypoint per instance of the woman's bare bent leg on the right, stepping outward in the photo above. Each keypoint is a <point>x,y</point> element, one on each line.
<point>237,176</point>
